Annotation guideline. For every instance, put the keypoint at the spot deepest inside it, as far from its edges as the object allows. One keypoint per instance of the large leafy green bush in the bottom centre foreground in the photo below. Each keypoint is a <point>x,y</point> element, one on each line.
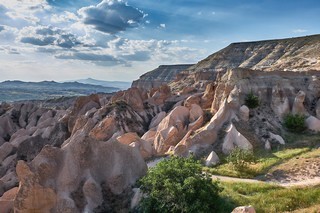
<point>179,185</point>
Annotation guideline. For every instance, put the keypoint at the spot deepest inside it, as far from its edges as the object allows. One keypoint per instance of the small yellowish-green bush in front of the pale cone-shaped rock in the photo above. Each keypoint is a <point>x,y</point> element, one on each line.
<point>240,159</point>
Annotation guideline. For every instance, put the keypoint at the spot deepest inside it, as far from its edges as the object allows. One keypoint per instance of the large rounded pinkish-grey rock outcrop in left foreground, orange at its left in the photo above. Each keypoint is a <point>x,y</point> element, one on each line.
<point>85,175</point>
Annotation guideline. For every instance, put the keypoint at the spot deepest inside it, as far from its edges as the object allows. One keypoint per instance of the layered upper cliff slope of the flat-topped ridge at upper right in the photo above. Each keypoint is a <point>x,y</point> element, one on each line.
<point>302,53</point>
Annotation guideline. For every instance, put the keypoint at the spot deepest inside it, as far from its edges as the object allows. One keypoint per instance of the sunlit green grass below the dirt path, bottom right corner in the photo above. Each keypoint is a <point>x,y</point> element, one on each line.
<point>268,197</point>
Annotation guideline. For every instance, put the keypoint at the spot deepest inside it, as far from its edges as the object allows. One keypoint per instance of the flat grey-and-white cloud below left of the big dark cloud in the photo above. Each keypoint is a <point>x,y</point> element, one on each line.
<point>46,35</point>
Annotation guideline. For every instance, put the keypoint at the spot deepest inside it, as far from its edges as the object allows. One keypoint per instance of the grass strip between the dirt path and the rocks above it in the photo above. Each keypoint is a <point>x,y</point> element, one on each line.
<point>264,162</point>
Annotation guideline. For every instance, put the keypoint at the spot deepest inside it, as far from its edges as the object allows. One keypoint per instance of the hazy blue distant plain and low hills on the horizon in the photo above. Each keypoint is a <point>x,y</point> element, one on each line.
<point>19,90</point>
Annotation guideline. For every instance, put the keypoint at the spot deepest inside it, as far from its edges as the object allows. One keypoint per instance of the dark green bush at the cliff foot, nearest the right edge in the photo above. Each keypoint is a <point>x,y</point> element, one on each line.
<point>294,122</point>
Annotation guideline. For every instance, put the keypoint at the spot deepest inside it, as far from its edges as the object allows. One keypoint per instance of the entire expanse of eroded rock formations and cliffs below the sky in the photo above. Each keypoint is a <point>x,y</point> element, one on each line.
<point>85,154</point>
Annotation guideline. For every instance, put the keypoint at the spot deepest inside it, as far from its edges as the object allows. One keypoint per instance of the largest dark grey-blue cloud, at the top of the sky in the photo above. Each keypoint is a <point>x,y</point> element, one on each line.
<point>111,16</point>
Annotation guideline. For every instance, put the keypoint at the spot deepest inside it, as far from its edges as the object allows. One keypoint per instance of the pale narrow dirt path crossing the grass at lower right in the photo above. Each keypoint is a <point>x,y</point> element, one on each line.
<point>302,183</point>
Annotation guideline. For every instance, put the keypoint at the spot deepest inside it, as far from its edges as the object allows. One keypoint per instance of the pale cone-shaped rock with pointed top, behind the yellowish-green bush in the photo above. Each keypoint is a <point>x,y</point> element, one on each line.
<point>235,138</point>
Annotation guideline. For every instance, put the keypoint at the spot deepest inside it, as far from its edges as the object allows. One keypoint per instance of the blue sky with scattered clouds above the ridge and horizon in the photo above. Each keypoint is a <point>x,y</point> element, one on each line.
<point>120,40</point>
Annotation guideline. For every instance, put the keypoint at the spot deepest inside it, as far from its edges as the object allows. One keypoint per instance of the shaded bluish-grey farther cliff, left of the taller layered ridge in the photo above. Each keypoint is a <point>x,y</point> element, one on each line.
<point>159,76</point>
